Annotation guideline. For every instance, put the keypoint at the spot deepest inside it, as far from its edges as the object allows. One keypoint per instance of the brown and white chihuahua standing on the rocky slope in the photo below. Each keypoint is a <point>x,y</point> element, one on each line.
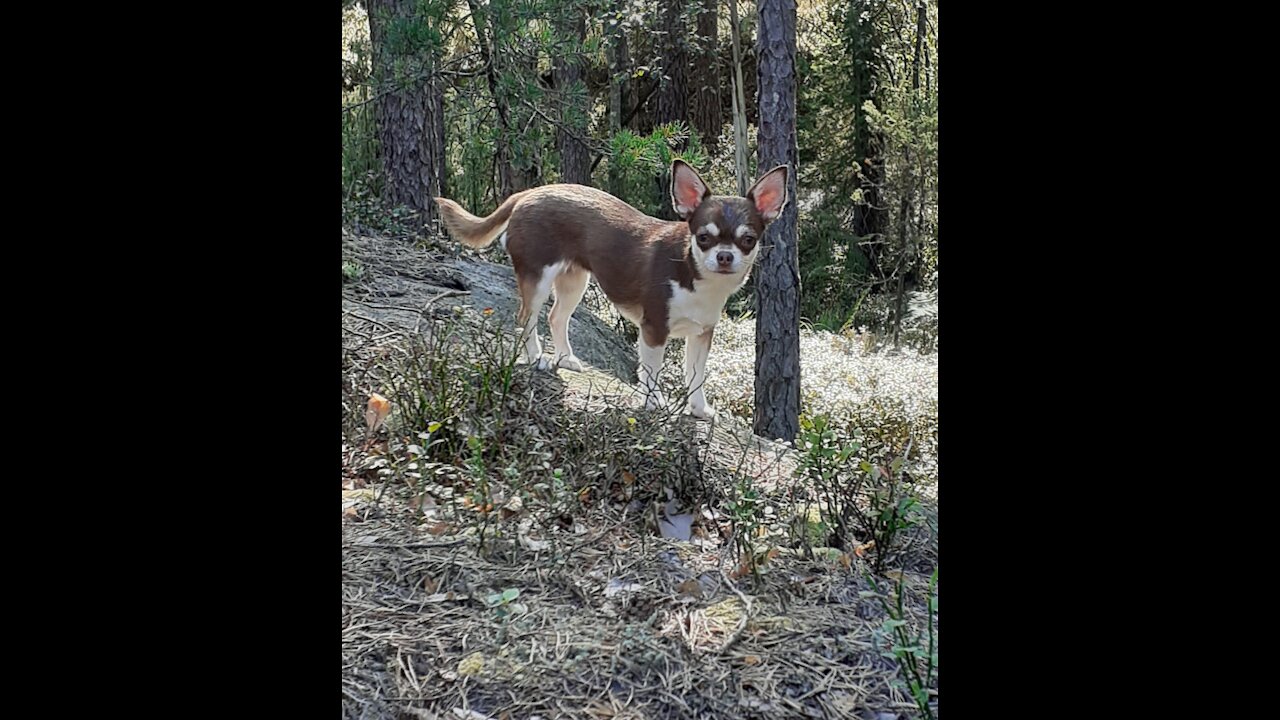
<point>670,279</point>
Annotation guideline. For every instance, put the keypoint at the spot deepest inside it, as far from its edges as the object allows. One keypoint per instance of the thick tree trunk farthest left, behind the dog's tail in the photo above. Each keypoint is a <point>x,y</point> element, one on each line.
<point>410,112</point>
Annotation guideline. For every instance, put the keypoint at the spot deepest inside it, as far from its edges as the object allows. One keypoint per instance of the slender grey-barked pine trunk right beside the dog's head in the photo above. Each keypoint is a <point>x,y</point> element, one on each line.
<point>778,286</point>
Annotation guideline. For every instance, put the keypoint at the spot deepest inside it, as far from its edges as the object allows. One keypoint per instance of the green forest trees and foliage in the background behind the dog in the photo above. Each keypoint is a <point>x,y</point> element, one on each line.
<point>525,81</point>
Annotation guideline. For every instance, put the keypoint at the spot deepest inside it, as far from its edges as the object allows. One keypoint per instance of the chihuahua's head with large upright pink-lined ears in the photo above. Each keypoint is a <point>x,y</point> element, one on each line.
<point>725,233</point>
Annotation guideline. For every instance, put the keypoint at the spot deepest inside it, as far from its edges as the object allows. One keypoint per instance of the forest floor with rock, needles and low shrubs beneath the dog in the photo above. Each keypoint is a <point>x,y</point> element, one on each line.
<point>552,550</point>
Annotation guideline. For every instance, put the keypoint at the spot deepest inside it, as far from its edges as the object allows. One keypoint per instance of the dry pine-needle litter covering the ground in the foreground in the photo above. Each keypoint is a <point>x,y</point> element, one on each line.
<point>618,625</point>
